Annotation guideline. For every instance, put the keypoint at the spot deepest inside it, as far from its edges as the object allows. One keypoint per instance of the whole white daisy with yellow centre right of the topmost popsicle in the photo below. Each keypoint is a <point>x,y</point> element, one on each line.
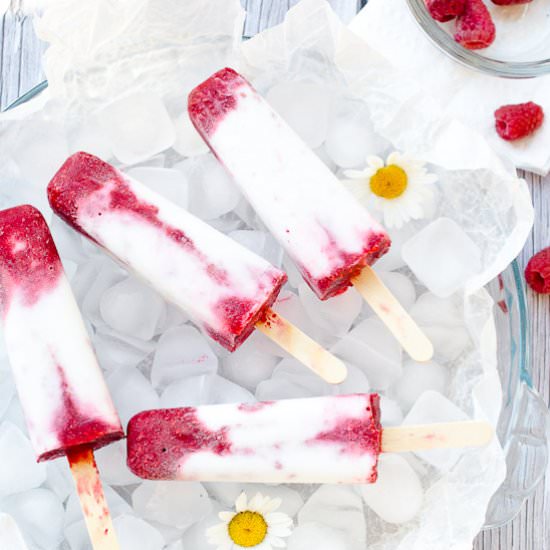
<point>401,188</point>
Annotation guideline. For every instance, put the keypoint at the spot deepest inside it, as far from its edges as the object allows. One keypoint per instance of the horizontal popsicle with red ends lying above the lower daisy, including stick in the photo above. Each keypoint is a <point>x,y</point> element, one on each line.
<point>312,440</point>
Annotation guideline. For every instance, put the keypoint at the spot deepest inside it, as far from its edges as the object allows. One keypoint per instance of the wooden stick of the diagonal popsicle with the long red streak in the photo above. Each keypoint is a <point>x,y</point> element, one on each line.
<point>303,348</point>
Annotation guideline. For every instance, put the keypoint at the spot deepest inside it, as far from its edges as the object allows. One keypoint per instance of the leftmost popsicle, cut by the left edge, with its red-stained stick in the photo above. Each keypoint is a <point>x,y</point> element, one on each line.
<point>66,403</point>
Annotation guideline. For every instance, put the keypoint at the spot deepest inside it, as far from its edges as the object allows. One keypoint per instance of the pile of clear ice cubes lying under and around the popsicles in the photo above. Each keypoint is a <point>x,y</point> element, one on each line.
<point>153,357</point>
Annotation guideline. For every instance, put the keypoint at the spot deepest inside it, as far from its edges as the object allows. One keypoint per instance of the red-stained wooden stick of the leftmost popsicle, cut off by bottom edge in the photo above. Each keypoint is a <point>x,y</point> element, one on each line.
<point>92,500</point>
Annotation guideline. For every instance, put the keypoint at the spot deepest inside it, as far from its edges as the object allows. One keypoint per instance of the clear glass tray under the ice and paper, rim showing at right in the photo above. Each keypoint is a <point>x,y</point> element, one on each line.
<point>524,423</point>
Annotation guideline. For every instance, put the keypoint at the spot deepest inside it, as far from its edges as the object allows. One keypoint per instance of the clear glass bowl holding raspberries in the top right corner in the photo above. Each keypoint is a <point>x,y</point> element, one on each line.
<point>521,48</point>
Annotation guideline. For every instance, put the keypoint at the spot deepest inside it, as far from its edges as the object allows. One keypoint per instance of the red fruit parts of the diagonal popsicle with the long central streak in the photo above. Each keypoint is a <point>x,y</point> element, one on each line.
<point>76,186</point>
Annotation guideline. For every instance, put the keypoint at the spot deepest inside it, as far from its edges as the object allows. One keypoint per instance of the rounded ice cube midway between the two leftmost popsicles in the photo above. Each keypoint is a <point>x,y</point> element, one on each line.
<point>132,308</point>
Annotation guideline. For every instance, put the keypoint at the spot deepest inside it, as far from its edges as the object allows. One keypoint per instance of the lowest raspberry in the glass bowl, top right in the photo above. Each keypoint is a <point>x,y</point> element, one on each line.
<point>475,28</point>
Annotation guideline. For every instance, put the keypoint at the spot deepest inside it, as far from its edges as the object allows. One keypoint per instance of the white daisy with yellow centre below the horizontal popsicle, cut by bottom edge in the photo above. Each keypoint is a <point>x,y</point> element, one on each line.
<point>254,524</point>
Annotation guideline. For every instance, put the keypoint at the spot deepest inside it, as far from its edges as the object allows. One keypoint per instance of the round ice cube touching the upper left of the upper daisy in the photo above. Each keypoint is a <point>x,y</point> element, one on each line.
<point>351,138</point>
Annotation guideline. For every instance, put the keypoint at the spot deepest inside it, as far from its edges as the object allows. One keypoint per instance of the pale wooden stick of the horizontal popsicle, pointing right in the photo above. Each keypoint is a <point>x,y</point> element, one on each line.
<point>447,435</point>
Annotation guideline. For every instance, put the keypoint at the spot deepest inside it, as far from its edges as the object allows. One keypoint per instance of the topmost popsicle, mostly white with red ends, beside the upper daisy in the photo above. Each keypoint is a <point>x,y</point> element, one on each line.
<point>331,238</point>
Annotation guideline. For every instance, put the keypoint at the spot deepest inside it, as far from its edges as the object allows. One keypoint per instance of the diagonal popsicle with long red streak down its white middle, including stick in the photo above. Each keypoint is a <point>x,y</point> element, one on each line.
<point>225,288</point>
